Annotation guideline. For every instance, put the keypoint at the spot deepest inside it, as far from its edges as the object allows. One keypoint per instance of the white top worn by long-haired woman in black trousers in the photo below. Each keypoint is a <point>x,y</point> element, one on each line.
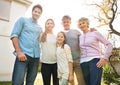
<point>48,49</point>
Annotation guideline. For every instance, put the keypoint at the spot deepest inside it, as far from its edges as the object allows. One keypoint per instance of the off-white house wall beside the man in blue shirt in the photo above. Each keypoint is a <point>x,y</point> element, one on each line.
<point>18,8</point>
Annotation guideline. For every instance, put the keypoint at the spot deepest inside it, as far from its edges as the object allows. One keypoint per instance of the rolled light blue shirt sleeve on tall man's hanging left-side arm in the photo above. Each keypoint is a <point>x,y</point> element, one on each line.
<point>18,26</point>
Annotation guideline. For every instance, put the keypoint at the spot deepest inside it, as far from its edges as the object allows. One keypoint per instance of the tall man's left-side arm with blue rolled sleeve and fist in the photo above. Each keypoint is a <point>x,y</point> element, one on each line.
<point>14,37</point>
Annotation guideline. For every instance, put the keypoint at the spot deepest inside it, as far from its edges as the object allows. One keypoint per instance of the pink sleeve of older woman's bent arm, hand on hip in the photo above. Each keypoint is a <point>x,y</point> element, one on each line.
<point>107,44</point>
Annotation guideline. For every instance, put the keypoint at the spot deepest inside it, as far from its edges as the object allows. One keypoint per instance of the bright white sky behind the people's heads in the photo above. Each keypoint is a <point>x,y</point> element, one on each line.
<point>56,9</point>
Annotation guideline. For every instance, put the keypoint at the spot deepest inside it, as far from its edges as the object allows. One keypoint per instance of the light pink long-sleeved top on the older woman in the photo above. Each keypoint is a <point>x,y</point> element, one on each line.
<point>89,45</point>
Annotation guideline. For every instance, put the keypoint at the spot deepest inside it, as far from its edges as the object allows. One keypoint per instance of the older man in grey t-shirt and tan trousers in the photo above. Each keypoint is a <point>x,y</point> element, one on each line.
<point>72,39</point>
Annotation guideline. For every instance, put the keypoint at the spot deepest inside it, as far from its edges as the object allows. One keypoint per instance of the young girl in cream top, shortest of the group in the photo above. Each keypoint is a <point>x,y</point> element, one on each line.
<point>64,60</point>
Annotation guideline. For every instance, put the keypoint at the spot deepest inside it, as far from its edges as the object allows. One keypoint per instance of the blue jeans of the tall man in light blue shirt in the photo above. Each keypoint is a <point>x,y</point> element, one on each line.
<point>28,69</point>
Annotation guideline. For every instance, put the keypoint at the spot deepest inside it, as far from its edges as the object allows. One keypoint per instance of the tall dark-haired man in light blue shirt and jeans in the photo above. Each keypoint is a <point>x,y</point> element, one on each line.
<point>25,38</point>
